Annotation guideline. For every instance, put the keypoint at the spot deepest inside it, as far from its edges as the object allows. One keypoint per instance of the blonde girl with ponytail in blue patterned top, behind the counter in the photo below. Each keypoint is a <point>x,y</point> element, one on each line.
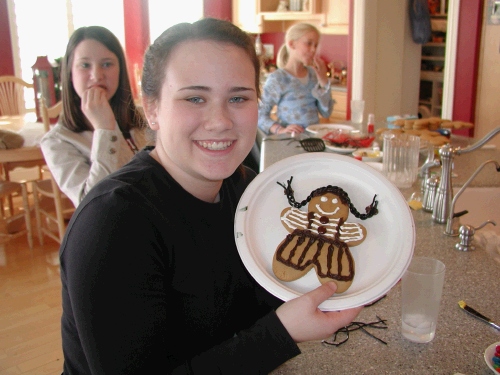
<point>299,88</point>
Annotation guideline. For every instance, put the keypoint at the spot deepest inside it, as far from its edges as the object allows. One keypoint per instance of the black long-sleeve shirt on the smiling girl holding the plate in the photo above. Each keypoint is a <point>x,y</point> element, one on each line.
<point>153,283</point>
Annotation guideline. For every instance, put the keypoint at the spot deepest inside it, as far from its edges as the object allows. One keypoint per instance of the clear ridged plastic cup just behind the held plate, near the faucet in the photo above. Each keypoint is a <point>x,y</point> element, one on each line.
<point>400,161</point>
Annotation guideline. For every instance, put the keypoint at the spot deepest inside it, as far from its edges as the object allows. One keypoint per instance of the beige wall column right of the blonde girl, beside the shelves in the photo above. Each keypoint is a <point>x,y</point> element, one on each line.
<point>390,59</point>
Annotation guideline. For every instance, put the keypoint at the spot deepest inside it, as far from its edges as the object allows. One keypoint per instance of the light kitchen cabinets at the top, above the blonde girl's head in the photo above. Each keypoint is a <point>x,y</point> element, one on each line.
<point>261,16</point>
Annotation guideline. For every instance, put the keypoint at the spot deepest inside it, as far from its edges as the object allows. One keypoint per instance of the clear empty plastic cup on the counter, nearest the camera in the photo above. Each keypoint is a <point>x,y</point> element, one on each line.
<point>421,290</point>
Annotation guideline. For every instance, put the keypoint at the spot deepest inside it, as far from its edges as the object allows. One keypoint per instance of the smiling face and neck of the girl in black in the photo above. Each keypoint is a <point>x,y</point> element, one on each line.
<point>206,118</point>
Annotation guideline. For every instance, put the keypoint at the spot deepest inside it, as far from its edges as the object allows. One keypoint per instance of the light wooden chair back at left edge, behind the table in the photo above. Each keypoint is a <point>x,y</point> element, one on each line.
<point>12,95</point>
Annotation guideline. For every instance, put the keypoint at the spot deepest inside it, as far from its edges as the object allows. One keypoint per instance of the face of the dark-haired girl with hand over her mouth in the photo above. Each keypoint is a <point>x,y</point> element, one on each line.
<point>94,66</point>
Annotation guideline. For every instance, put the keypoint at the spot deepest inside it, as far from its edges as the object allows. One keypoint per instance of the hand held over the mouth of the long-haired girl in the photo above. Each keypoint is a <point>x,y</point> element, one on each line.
<point>96,108</point>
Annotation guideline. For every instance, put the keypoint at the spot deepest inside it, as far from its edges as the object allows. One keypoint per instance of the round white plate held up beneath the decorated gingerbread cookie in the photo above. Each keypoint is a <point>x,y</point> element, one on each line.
<point>380,260</point>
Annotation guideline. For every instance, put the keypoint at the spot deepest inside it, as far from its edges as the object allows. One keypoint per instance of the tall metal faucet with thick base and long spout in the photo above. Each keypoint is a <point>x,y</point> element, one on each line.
<point>444,194</point>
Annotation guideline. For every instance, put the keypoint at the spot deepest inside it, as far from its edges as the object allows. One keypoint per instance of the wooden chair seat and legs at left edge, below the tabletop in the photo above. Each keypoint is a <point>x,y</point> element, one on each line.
<point>12,224</point>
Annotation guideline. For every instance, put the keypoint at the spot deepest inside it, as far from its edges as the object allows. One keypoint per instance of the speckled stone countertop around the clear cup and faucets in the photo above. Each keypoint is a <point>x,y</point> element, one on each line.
<point>460,339</point>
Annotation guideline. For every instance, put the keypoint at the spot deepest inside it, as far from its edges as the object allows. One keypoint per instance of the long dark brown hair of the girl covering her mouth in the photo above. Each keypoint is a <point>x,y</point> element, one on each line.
<point>122,102</point>
